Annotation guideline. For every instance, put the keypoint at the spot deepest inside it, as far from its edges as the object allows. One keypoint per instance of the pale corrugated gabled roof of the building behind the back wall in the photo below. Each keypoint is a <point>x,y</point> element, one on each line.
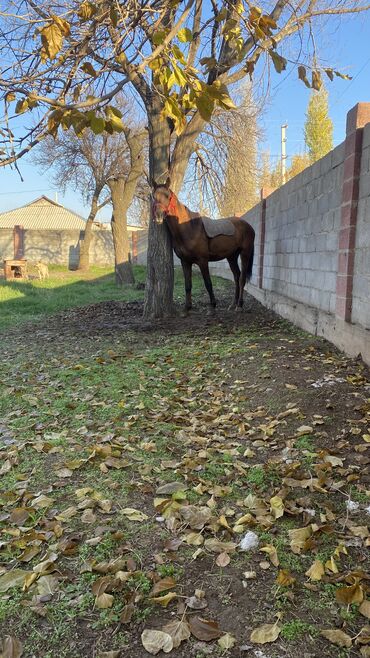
<point>42,213</point>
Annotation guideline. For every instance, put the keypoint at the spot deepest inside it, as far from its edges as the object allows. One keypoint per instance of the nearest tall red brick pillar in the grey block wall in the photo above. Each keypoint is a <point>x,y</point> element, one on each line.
<point>357,118</point>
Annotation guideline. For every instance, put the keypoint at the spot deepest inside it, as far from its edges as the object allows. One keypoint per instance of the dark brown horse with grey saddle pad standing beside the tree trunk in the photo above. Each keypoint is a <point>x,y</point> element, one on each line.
<point>192,245</point>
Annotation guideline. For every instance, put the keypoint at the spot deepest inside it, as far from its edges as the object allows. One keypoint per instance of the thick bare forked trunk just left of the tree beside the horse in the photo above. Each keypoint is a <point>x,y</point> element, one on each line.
<point>122,193</point>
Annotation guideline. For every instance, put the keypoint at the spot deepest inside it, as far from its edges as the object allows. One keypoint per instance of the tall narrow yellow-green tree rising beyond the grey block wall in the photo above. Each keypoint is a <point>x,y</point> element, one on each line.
<point>318,130</point>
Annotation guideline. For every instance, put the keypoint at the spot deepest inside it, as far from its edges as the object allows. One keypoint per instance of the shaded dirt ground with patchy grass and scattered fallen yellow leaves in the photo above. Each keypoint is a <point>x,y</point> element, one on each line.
<point>137,456</point>
